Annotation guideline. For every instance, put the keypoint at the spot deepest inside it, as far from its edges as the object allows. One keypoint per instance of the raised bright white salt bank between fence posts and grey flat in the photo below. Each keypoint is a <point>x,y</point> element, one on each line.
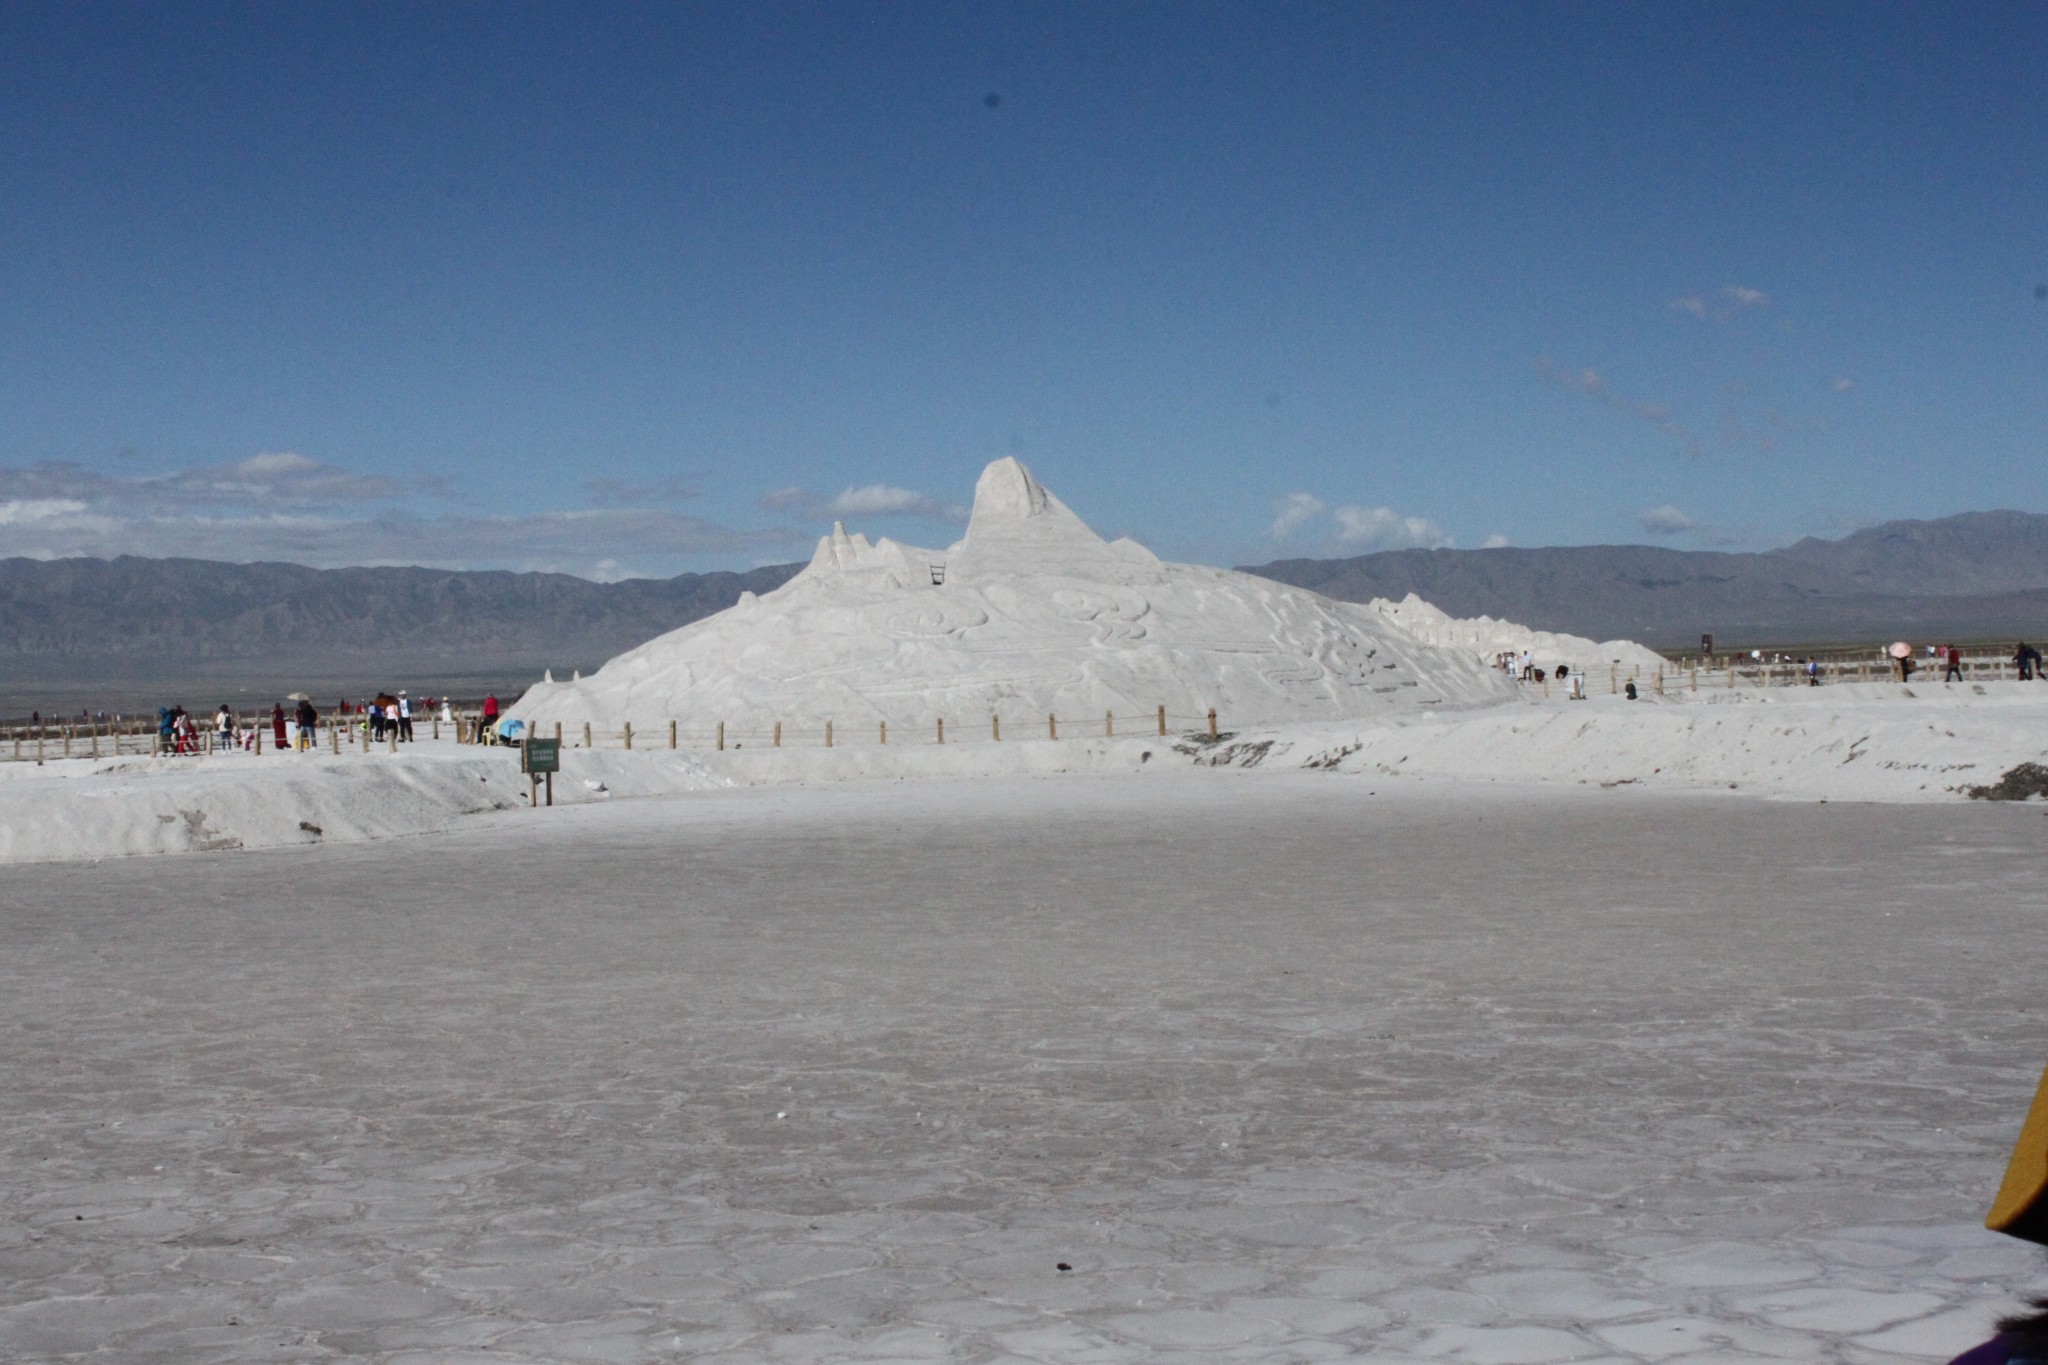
<point>1863,742</point>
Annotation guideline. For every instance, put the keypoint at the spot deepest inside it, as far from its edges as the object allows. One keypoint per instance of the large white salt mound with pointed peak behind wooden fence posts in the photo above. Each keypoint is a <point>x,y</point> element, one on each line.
<point>1029,615</point>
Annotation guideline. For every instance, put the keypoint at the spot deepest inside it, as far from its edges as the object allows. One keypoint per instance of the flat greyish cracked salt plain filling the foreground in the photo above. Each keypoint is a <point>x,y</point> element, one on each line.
<point>1285,1067</point>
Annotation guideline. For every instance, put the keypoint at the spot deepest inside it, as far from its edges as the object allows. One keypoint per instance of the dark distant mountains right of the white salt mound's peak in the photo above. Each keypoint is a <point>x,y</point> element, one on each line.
<point>1973,576</point>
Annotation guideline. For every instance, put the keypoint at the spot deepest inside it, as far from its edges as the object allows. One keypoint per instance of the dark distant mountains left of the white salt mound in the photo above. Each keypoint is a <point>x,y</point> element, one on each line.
<point>130,631</point>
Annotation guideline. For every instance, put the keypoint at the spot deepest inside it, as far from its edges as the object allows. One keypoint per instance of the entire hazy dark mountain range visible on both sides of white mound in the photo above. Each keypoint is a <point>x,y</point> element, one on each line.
<point>130,631</point>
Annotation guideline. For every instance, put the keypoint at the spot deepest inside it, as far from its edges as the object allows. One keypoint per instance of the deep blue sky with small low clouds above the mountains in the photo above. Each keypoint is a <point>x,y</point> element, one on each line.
<point>638,290</point>
